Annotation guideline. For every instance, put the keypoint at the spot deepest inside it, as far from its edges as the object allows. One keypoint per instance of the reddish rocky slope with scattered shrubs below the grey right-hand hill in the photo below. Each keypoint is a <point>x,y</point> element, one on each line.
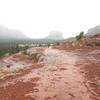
<point>87,41</point>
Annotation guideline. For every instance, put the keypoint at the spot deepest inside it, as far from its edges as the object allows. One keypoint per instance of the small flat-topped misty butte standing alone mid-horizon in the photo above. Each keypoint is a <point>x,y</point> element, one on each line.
<point>55,35</point>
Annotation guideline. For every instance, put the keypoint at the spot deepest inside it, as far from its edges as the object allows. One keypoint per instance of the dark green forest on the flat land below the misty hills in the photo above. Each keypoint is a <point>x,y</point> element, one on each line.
<point>12,46</point>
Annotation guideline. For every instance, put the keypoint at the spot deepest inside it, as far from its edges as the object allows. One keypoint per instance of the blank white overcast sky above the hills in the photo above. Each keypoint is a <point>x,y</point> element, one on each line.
<point>38,17</point>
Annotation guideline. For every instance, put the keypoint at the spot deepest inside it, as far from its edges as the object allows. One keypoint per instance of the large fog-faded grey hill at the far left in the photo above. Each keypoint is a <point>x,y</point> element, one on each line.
<point>8,34</point>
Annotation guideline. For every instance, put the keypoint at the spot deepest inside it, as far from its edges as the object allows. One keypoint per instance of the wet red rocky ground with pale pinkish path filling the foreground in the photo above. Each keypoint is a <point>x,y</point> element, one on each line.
<point>61,75</point>
